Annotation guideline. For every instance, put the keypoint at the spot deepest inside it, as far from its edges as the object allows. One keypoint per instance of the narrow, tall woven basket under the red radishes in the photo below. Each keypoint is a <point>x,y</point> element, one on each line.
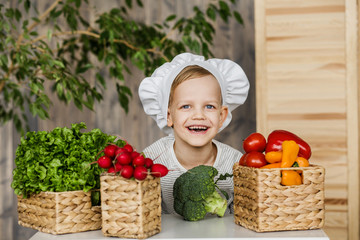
<point>130,208</point>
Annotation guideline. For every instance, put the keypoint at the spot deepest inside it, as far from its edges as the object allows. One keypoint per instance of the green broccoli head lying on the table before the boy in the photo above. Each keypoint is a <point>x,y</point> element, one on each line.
<point>195,194</point>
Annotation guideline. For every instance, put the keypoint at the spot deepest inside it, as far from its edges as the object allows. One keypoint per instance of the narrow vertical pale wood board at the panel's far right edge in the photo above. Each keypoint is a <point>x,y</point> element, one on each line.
<point>353,120</point>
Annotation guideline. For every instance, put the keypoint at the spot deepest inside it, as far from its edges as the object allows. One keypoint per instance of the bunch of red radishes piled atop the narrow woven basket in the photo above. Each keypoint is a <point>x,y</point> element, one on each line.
<point>129,163</point>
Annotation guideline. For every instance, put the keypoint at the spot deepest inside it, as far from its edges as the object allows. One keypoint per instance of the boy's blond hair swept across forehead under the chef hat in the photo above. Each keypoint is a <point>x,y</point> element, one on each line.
<point>189,72</point>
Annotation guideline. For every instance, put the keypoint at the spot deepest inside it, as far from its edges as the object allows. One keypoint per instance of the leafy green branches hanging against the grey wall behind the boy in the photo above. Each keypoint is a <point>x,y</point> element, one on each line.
<point>68,51</point>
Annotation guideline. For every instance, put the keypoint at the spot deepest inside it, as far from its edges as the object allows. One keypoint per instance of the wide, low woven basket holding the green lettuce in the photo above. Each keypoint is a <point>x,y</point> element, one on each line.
<point>59,212</point>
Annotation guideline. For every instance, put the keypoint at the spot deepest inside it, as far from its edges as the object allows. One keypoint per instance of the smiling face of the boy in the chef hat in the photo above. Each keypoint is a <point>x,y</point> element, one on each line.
<point>196,112</point>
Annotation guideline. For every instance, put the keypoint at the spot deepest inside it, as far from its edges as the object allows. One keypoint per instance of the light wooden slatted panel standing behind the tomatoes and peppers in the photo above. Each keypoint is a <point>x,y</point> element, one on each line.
<point>306,66</point>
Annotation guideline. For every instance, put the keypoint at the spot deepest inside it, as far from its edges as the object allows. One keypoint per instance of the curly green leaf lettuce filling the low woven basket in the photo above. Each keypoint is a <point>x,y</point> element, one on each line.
<point>59,160</point>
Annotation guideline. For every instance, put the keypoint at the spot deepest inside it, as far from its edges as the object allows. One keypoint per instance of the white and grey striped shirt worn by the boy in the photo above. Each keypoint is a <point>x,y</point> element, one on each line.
<point>162,151</point>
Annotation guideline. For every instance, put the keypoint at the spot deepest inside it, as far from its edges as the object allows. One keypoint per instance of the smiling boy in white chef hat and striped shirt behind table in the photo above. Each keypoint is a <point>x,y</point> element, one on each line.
<point>191,99</point>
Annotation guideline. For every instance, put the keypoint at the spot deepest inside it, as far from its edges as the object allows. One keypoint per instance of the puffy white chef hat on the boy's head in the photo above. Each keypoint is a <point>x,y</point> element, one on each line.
<point>154,91</point>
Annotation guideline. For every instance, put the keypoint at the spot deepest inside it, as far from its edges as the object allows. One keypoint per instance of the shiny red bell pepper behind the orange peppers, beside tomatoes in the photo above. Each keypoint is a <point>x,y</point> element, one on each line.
<point>276,137</point>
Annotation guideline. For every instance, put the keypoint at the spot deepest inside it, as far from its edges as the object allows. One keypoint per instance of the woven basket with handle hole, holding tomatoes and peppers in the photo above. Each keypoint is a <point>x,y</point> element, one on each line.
<point>262,204</point>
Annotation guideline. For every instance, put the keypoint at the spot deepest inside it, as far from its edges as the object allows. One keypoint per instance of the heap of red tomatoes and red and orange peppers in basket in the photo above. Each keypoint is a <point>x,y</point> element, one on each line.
<point>283,149</point>
